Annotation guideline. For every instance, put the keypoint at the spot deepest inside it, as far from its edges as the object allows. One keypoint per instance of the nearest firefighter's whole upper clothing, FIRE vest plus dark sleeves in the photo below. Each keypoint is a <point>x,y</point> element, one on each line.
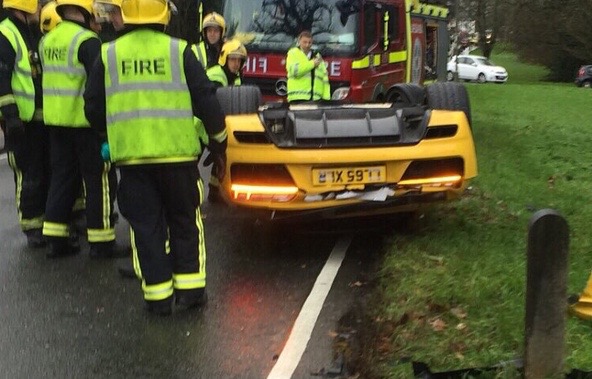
<point>152,86</point>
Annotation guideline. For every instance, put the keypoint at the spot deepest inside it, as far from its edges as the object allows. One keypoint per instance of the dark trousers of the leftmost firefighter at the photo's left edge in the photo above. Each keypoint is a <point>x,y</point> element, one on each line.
<point>29,160</point>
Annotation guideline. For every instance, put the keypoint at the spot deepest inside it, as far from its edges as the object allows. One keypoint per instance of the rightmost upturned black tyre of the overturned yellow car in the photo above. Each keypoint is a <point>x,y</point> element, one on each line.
<point>450,96</point>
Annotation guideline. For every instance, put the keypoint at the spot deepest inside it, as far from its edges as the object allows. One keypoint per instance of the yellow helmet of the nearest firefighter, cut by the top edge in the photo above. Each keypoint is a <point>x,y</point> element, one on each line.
<point>146,12</point>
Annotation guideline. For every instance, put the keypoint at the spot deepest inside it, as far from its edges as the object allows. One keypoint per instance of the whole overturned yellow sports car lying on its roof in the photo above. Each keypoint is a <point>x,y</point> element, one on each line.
<point>336,160</point>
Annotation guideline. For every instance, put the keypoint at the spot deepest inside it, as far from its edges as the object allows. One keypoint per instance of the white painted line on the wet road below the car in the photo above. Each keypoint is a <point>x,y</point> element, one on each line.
<point>304,324</point>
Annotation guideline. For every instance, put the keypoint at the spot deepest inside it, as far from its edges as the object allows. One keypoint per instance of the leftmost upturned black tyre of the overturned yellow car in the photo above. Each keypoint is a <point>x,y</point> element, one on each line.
<point>239,99</point>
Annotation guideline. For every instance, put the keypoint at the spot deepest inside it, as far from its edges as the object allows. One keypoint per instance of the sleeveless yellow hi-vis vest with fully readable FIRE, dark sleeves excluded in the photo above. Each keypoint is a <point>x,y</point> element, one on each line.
<point>149,110</point>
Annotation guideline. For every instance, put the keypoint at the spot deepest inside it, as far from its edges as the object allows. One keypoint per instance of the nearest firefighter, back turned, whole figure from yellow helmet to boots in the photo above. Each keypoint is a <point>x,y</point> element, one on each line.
<point>158,79</point>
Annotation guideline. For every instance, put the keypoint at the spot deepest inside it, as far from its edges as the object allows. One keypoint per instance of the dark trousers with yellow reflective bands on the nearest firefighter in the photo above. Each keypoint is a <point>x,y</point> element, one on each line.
<point>162,205</point>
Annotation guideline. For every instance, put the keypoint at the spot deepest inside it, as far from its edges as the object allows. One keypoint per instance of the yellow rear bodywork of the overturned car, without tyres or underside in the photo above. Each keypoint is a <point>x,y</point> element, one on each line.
<point>396,160</point>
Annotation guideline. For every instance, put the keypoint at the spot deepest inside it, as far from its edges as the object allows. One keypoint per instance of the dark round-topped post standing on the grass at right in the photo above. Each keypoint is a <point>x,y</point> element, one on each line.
<point>546,295</point>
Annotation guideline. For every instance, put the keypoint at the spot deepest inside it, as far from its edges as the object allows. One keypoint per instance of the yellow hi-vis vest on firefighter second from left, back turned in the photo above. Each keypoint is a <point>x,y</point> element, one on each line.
<point>64,75</point>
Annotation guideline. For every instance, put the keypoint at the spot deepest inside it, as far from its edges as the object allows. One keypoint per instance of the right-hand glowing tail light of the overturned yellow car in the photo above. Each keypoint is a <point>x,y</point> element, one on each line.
<point>434,173</point>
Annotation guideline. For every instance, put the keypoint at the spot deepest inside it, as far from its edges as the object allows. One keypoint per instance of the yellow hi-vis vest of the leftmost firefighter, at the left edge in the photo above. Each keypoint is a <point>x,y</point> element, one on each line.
<point>23,89</point>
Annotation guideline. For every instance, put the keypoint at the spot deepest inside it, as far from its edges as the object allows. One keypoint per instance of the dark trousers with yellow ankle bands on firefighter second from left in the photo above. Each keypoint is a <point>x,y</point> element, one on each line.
<point>76,154</point>
